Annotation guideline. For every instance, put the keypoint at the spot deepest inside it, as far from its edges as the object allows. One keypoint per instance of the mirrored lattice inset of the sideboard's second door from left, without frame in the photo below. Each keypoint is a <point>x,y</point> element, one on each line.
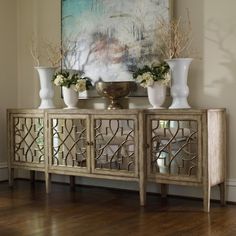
<point>68,138</point>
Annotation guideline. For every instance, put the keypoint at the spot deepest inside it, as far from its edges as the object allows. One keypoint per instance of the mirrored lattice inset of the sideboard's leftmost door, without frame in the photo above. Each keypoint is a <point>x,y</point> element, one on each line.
<point>28,140</point>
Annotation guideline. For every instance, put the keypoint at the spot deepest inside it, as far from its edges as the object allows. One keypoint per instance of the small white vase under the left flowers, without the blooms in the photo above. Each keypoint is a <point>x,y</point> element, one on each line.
<point>70,97</point>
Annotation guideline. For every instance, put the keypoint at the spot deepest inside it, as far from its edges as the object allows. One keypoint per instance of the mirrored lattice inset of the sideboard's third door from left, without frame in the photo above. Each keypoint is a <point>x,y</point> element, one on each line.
<point>114,144</point>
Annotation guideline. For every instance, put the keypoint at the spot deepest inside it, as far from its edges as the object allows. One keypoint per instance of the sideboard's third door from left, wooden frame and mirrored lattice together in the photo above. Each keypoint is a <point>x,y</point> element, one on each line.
<point>114,142</point>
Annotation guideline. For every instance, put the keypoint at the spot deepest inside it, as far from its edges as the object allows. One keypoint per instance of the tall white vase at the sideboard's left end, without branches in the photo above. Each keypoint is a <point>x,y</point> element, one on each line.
<point>46,92</point>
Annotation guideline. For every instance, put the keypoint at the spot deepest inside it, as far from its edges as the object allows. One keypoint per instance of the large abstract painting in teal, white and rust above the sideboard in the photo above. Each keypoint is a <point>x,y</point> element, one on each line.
<point>108,39</point>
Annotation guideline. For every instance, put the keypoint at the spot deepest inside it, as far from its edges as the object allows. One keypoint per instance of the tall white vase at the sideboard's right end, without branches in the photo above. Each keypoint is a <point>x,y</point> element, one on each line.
<point>179,76</point>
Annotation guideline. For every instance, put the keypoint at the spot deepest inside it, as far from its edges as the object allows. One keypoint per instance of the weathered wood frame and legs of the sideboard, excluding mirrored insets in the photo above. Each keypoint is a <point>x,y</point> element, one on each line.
<point>211,147</point>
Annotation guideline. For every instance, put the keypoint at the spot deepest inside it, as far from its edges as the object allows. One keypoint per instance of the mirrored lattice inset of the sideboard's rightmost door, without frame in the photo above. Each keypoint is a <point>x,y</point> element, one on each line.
<point>174,147</point>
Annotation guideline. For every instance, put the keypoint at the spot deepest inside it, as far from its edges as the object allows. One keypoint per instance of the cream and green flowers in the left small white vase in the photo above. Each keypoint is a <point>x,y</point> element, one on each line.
<point>77,80</point>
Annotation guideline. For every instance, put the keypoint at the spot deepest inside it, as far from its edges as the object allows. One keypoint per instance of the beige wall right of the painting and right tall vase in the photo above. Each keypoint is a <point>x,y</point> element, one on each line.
<point>212,79</point>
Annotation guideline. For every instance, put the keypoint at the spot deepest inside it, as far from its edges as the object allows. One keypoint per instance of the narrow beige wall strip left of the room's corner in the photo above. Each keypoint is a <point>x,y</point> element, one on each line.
<point>8,66</point>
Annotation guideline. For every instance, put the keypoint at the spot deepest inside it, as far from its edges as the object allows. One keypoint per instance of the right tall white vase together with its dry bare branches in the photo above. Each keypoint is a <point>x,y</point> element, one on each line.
<point>174,41</point>
